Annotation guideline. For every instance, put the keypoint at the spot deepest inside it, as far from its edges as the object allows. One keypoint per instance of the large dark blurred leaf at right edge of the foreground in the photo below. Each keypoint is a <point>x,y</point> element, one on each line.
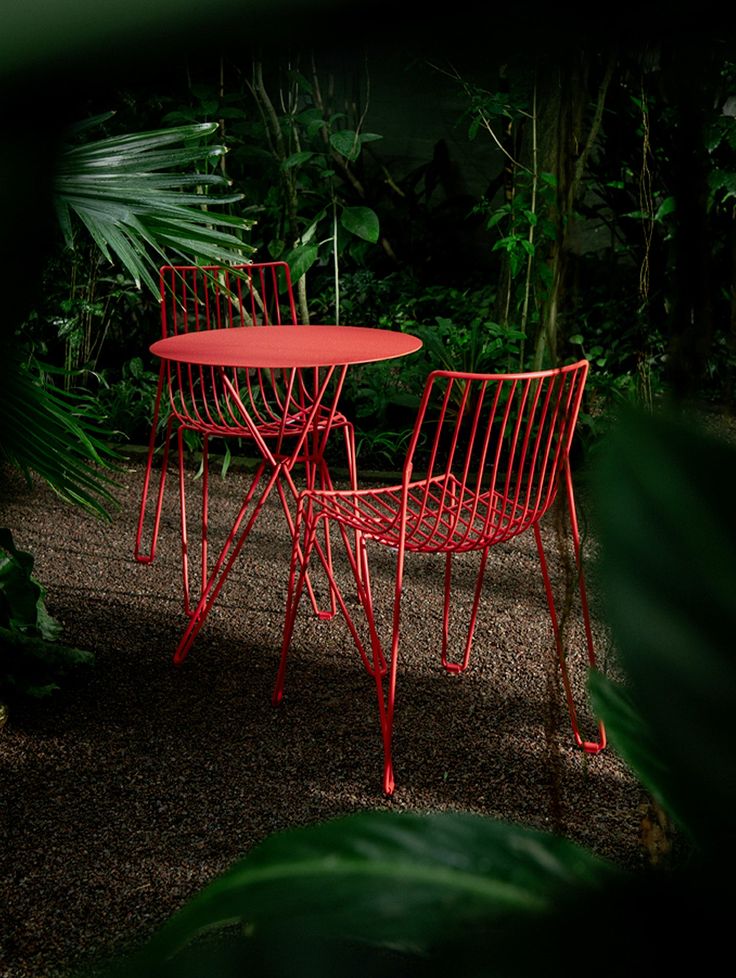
<point>668,534</point>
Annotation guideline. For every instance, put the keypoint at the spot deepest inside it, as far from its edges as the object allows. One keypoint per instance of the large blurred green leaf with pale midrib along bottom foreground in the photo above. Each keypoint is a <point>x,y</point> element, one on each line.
<point>395,880</point>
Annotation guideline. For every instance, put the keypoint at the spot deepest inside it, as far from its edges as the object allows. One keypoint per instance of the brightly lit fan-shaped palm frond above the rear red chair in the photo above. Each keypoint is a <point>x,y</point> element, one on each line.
<point>143,202</point>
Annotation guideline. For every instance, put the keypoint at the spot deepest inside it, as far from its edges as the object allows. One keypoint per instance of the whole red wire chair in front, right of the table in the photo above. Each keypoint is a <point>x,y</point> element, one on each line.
<point>493,449</point>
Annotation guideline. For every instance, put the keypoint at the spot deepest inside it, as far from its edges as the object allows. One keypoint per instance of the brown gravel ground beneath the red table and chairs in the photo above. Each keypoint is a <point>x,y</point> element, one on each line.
<point>140,782</point>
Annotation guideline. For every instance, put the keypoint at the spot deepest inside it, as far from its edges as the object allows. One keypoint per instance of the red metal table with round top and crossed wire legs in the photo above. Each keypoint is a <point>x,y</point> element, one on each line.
<point>325,353</point>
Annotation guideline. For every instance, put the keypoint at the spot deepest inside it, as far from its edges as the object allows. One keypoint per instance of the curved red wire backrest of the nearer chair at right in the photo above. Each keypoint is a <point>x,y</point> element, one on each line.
<point>492,448</point>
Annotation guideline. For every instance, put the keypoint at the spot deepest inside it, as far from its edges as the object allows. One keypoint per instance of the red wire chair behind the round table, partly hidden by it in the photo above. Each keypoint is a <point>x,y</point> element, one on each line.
<point>220,297</point>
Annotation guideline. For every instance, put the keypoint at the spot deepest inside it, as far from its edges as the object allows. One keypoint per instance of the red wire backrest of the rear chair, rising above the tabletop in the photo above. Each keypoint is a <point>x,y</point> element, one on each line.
<point>220,296</point>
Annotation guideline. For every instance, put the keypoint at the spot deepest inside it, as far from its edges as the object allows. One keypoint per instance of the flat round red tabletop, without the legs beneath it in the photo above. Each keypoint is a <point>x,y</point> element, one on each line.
<point>286,346</point>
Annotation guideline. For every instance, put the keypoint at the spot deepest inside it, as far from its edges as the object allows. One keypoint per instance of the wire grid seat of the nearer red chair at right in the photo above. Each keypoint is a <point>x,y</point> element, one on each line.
<point>441,515</point>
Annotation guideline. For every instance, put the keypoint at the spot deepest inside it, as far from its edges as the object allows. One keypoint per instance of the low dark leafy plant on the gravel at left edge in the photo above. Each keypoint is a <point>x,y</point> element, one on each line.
<point>32,659</point>
